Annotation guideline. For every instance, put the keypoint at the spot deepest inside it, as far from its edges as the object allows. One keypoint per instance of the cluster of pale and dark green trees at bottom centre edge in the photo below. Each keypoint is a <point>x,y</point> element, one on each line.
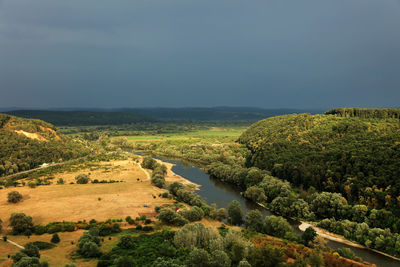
<point>192,245</point>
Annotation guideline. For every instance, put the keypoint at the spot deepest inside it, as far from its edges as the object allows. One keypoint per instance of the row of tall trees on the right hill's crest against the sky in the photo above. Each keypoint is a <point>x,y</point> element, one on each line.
<point>382,113</point>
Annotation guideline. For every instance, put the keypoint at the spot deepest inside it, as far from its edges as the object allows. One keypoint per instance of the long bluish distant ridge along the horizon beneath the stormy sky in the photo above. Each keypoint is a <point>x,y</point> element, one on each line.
<point>117,116</point>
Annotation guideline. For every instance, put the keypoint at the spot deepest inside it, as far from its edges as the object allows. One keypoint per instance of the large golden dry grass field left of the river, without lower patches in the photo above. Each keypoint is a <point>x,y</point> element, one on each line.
<point>75,202</point>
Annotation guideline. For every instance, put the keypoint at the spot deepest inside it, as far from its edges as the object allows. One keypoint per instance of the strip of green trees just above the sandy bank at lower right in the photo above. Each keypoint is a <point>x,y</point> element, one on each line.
<point>376,238</point>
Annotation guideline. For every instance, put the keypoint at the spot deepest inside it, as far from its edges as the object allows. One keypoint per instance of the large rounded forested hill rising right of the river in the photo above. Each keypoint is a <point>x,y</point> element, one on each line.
<point>358,157</point>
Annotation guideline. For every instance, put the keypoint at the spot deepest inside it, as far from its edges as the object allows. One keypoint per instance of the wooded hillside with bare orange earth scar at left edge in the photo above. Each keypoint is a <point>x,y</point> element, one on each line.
<point>26,143</point>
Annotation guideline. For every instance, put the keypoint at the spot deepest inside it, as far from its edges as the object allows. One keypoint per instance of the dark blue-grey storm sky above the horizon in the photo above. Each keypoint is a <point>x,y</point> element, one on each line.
<point>174,53</point>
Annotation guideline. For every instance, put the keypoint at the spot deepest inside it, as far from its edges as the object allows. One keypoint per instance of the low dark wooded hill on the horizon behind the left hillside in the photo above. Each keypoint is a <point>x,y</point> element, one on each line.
<point>84,118</point>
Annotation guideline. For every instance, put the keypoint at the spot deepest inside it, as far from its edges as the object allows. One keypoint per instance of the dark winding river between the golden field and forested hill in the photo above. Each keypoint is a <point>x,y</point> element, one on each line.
<point>215,191</point>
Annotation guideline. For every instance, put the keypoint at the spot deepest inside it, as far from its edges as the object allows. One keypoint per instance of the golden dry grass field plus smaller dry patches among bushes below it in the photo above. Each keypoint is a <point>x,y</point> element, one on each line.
<point>78,202</point>
